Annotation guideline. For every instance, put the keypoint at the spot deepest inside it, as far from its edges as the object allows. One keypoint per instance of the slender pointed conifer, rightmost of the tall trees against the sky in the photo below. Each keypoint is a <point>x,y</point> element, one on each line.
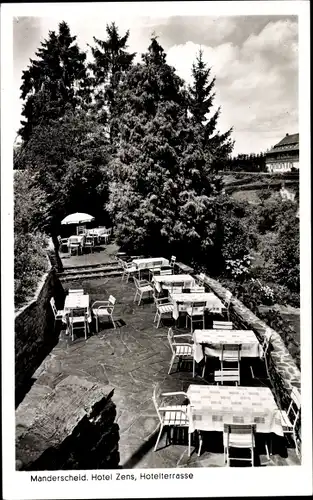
<point>201,97</point>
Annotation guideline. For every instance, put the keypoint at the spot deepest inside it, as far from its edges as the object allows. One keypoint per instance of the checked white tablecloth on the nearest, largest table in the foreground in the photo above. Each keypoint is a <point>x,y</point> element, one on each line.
<point>213,406</point>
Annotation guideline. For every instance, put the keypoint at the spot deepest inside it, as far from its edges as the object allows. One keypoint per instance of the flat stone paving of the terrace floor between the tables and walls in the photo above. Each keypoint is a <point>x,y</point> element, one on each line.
<point>132,358</point>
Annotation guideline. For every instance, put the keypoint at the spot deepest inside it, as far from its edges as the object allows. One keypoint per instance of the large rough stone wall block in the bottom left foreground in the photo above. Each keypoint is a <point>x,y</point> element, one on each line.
<point>69,427</point>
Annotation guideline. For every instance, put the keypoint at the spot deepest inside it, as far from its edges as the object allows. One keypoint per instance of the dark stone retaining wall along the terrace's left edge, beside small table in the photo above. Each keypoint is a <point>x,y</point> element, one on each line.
<point>35,332</point>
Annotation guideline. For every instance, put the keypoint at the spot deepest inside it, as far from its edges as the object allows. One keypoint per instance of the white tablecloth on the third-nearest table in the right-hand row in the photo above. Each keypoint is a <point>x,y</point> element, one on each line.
<point>183,300</point>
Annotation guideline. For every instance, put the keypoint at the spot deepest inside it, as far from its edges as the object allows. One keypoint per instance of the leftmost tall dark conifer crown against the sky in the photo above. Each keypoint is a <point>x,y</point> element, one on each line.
<point>54,82</point>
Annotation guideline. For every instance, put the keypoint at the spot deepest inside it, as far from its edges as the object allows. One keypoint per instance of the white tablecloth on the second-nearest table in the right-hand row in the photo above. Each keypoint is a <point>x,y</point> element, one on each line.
<point>213,340</point>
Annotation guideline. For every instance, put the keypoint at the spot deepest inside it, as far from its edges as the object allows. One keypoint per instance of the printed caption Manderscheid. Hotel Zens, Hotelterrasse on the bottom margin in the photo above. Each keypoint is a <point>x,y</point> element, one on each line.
<point>117,476</point>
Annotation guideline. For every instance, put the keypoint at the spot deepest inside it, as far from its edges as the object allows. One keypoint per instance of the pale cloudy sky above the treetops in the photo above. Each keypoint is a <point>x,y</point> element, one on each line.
<point>253,58</point>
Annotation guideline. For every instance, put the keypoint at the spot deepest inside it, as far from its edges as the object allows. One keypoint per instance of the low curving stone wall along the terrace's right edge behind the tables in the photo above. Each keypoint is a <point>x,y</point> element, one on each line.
<point>284,373</point>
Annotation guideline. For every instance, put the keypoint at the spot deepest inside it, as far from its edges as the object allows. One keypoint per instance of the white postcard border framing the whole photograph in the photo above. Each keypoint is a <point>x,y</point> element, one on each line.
<point>274,481</point>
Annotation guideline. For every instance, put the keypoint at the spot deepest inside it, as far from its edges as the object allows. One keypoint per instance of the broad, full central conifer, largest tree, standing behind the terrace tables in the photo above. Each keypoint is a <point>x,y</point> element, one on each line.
<point>163,185</point>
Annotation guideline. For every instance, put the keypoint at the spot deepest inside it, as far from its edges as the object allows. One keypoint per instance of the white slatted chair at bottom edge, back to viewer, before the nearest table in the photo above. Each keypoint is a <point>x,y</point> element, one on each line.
<point>239,436</point>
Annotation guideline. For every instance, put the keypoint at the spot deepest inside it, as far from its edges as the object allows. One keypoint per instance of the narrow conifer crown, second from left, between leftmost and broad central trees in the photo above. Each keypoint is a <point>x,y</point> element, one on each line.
<point>111,61</point>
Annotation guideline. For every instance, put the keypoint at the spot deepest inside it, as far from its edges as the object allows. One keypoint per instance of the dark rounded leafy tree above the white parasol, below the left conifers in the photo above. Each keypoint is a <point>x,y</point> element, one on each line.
<point>67,159</point>
